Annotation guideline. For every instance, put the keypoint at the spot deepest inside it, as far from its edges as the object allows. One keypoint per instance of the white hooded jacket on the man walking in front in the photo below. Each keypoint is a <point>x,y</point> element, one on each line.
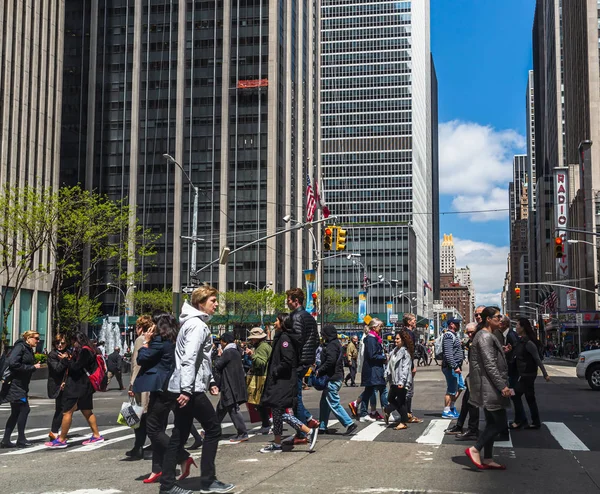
<point>193,367</point>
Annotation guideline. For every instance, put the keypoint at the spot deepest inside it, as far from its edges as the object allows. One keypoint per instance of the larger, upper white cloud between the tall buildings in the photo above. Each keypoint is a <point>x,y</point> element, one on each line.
<point>476,166</point>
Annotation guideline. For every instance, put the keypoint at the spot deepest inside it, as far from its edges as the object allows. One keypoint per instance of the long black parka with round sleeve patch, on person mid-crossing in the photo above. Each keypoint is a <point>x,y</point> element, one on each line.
<point>281,386</point>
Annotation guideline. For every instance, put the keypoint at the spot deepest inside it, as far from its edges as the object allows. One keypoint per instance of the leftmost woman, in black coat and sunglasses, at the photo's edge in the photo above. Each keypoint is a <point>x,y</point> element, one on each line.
<point>21,364</point>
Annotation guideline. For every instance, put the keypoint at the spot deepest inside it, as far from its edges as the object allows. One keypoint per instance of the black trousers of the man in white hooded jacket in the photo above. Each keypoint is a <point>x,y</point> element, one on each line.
<point>200,408</point>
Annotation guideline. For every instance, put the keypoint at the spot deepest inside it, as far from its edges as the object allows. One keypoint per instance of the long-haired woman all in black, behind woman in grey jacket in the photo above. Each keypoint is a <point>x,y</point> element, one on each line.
<point>527,356</point>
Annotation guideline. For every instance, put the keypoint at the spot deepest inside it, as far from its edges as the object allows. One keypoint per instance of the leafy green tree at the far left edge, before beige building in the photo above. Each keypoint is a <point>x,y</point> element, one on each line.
<point>27,219</point>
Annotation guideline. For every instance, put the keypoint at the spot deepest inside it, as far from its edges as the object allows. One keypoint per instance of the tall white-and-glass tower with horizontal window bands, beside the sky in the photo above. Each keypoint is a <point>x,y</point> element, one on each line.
<point>378,159</point>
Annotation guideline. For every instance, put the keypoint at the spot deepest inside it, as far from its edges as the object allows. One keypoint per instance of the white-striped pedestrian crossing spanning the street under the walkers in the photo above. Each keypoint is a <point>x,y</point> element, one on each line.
<point>552,435</point>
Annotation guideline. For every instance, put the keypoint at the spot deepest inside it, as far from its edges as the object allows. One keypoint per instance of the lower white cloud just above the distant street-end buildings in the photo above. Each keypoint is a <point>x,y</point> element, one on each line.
<point>488,268</point>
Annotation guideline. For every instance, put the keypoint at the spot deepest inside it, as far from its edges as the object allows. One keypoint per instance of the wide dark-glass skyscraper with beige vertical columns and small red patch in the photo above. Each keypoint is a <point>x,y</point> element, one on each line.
<point>224,87</point>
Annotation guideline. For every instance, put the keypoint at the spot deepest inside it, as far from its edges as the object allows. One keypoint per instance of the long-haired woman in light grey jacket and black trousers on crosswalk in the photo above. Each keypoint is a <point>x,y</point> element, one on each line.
<point>398,374</point>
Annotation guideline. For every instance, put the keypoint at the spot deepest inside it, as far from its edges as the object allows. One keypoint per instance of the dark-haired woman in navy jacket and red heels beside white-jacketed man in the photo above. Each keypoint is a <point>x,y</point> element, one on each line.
<point>156,359</point>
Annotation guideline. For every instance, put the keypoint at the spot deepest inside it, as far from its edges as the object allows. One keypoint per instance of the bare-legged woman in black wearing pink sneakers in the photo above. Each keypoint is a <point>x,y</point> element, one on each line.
<point>78,393</point>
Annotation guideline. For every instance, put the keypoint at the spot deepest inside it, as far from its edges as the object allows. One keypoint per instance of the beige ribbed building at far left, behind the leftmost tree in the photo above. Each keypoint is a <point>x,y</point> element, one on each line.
<point>31,55</point>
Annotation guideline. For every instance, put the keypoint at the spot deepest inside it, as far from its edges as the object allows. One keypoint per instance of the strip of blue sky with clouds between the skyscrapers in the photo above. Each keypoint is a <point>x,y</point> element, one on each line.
<point>482,52</point>
